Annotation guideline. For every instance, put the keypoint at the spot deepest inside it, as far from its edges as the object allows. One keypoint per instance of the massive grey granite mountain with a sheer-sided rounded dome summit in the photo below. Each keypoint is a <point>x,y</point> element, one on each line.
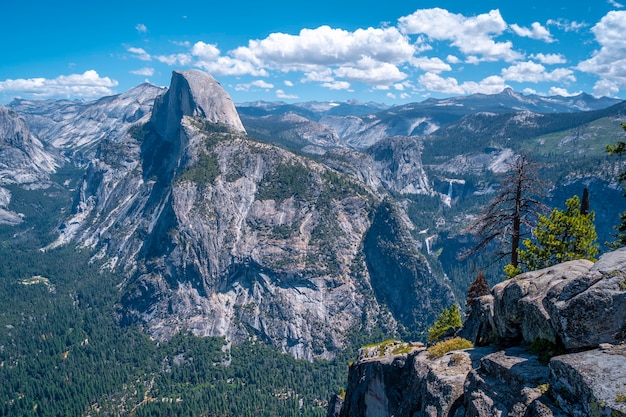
<point>223,235</point>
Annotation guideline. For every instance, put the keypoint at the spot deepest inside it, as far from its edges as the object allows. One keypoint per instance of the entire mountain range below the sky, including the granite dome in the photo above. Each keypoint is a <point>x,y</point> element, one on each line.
<point>295,224</point>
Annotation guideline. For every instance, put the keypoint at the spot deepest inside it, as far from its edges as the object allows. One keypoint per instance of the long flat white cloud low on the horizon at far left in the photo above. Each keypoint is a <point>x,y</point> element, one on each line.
<point>86,85</point>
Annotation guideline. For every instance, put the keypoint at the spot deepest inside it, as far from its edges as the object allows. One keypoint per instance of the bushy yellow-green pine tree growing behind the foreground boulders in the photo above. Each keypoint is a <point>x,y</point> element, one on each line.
<point>562,236</point>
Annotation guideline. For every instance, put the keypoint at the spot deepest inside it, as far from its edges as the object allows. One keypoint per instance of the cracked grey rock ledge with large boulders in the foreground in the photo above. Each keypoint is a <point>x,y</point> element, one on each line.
<point>575,311</point>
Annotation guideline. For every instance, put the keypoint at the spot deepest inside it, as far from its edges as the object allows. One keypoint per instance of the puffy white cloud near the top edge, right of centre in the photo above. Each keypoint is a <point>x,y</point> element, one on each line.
<point>471,35</point>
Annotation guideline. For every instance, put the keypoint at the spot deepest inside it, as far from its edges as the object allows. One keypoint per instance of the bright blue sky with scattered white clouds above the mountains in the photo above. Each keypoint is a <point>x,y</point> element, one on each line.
<point>386,51</point>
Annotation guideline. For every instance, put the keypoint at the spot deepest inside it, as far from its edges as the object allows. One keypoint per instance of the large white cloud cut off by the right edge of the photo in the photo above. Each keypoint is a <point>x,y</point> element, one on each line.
<point>609,62</point>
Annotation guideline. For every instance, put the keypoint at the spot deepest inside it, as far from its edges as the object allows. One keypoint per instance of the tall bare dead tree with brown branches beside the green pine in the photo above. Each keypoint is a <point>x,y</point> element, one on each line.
<point>513,211</point>
